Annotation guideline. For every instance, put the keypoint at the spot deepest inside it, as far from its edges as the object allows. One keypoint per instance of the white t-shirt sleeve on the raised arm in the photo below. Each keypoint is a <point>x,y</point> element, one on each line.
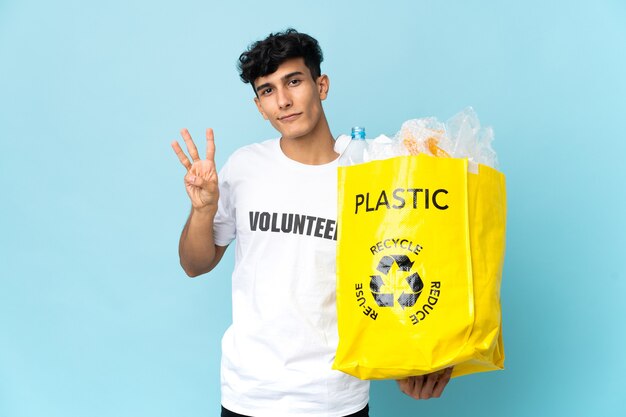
<point>224,225</point>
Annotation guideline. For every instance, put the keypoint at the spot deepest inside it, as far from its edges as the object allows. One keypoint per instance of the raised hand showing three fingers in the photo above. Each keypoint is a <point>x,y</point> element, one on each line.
<point>201,177</point>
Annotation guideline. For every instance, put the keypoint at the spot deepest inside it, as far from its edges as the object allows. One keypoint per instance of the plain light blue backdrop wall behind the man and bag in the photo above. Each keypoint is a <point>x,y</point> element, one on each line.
<point>98,319</point>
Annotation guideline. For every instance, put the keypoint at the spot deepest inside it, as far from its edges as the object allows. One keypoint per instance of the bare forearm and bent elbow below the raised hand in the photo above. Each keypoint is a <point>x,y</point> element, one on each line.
<point>197,250</point>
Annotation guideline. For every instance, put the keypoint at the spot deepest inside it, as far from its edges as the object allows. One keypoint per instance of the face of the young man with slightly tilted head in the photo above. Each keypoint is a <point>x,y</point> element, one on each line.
<point>291,100</point>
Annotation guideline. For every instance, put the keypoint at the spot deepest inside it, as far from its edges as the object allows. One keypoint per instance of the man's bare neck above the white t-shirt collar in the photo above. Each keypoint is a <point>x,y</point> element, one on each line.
<point>315,148</point>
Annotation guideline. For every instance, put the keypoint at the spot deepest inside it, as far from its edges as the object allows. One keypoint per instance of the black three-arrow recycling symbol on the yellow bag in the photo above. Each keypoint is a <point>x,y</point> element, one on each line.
<point>396,282</point>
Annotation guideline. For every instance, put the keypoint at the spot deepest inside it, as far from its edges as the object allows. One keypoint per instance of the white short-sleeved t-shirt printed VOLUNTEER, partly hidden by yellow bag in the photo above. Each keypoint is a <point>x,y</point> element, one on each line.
<point>277,354</point>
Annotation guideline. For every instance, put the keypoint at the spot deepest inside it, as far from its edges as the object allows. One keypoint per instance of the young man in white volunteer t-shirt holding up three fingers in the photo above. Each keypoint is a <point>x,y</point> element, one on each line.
<point>278,200</point>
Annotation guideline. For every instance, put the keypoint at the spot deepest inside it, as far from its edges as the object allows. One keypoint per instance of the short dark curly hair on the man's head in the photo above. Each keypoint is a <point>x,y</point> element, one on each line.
<point>265,56</point>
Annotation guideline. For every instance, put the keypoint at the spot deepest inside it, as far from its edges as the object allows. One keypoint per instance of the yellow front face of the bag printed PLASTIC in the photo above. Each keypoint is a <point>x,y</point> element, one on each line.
<point>404,288</point>
